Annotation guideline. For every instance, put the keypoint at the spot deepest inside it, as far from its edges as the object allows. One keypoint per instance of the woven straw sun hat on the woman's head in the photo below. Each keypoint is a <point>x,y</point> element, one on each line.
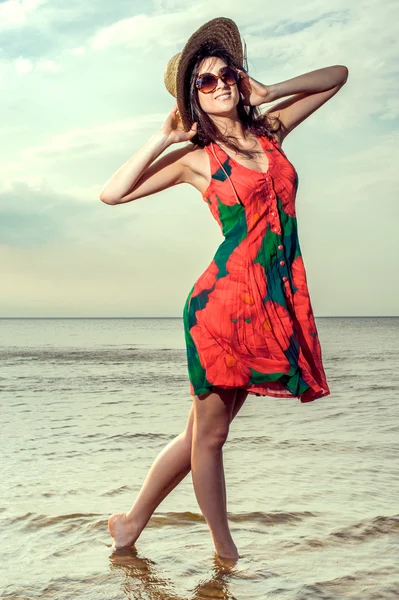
<point>222,31</point>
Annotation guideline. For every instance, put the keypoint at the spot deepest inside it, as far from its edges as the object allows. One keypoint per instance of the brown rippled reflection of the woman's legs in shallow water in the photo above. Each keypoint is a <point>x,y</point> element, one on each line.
<point>141,577</point>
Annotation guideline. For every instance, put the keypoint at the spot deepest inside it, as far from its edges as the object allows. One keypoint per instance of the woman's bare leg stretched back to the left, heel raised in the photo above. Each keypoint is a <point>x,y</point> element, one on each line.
<point>169,468</point>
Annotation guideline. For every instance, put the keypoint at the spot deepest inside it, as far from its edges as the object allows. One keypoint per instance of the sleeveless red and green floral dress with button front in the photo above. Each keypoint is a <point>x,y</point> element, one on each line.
<point>248,319</point>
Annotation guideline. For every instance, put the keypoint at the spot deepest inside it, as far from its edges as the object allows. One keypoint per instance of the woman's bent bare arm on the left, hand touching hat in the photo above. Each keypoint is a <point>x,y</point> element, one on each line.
<point>138,177</point>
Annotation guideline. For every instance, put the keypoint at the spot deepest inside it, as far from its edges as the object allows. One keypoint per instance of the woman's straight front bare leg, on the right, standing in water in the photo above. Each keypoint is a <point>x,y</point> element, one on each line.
<point>212,417</point>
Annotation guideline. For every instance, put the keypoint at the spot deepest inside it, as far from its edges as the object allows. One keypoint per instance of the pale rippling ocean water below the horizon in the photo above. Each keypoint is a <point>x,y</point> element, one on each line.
<point>313,502</point>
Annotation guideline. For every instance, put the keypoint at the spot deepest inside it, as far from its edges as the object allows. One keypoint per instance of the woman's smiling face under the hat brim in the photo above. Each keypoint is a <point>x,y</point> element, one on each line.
<point>224,99</point>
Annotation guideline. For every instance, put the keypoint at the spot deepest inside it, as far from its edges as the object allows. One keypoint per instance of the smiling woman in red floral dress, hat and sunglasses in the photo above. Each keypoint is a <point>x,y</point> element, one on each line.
<point>248,320</point>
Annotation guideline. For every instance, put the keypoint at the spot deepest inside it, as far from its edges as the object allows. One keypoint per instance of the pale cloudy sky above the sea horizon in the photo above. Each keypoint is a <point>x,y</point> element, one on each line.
<point>81,90</point>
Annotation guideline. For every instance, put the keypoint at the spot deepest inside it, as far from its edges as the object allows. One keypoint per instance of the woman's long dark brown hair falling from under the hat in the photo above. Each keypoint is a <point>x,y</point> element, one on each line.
<point>250,116</point>
